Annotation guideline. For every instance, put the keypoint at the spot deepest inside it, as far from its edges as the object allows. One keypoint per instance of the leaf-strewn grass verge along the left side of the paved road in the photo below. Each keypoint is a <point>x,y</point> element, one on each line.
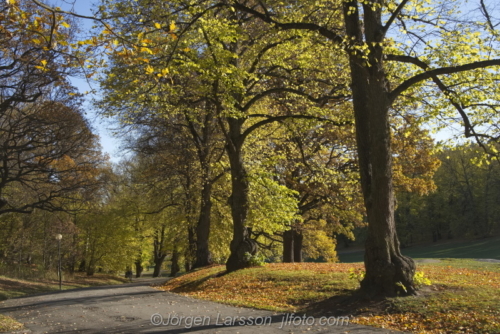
<point>11,288</point>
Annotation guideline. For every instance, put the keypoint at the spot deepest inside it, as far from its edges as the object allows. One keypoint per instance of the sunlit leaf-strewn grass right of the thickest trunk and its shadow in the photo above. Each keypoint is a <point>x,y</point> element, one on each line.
<point>464,298</point>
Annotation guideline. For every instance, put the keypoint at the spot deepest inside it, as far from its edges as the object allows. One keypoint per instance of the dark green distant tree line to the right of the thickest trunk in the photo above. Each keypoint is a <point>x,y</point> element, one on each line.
<point>466,203</point>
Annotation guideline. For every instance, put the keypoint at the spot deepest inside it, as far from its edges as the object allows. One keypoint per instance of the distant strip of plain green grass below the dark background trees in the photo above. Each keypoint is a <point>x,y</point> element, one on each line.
<point>472,249</point>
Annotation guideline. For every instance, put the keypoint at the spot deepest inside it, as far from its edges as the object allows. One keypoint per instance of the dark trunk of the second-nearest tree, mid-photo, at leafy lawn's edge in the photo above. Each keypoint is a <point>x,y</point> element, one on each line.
<point>241,243</point>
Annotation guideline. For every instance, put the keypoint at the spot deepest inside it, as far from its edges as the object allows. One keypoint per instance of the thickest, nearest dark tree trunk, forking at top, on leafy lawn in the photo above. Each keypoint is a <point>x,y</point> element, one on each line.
<point>388,273</point>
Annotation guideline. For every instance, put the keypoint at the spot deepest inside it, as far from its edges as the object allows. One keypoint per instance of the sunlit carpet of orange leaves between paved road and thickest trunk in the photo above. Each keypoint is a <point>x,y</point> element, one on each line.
<point>279,287</point>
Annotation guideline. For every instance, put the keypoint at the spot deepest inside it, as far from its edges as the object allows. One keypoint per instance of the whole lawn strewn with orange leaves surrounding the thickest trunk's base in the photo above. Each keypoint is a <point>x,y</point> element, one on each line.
<point>464,296</point>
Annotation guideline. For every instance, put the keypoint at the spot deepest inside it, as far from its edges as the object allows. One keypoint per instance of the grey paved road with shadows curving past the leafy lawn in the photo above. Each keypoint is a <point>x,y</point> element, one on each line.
<point>132,308</point>
